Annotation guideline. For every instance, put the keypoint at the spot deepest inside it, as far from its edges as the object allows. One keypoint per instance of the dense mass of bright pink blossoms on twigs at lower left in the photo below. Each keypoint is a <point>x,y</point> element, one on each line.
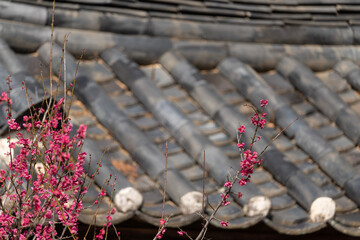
<point>49,194</point>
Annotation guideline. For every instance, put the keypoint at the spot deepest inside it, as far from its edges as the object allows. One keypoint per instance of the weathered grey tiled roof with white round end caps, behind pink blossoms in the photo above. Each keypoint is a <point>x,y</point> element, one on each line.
<point>180,72</point>
